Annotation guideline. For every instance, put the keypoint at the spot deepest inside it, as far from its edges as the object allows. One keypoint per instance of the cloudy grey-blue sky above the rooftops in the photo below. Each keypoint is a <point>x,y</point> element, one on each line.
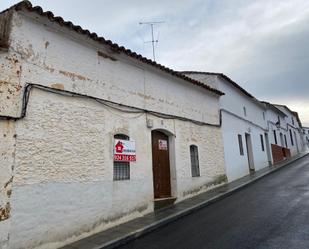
<point>262,45</point>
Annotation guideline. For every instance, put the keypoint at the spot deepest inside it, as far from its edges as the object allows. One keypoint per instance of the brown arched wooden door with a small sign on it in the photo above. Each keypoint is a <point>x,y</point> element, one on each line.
<point>161,165</point>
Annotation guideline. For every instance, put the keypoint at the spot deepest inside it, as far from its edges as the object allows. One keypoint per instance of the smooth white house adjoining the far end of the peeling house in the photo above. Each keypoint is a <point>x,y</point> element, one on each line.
<point>244,126</point>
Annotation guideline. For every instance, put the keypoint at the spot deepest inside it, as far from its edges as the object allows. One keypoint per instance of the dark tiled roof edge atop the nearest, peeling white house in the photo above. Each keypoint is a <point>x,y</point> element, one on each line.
<point>27,6</point>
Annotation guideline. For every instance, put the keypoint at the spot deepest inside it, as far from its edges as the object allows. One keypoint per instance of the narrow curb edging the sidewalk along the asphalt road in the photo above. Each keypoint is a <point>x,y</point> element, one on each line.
<point>143,231</point>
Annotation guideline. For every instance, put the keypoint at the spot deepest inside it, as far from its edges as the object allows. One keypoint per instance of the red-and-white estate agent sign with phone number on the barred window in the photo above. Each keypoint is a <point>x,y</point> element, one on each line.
<point>124,151</point>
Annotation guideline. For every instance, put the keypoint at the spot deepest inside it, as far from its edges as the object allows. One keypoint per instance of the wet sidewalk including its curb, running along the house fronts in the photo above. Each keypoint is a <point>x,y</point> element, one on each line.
<point>125,232</point>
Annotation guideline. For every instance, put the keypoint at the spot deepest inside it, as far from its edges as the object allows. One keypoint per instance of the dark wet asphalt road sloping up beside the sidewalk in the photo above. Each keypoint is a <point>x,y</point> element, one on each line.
<point>271,213</point>
